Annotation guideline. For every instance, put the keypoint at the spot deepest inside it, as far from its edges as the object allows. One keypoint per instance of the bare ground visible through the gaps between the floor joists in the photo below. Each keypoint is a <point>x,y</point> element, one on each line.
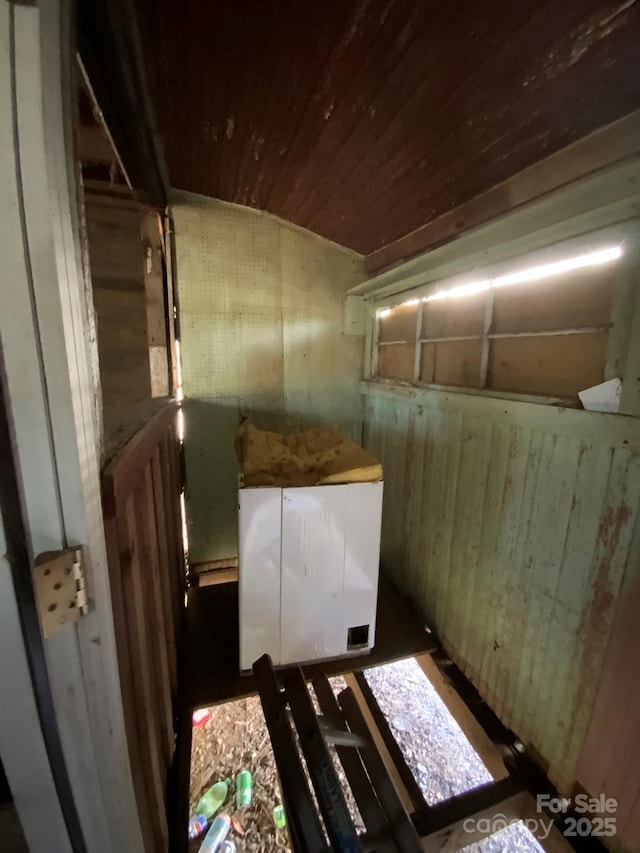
<point>441,758</point>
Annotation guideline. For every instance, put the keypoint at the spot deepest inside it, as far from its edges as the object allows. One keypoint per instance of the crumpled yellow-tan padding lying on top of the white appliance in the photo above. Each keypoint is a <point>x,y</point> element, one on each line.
<point>313,458</point>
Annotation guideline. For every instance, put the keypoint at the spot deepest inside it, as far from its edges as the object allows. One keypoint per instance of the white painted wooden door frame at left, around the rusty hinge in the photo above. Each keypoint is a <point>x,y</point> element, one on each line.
<point>51,400</point>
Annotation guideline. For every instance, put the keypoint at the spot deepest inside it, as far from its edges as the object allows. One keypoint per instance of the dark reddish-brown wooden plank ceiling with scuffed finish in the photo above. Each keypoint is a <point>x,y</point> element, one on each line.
<point>364,119</point>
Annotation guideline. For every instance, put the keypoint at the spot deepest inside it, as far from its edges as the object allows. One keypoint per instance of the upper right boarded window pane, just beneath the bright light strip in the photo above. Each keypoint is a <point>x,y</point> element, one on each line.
<point>577,300</point>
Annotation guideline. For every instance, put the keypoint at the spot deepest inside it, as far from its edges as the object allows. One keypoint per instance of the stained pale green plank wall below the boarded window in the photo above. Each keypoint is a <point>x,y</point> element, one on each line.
<point>510,524</point>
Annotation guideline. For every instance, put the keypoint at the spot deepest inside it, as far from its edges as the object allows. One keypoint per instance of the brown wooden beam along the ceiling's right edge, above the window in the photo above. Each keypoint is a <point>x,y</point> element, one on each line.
<point>599,150</point>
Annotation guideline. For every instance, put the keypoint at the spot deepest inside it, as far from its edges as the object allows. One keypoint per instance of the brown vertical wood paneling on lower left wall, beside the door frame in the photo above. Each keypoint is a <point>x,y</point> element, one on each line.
<point>140,492</point>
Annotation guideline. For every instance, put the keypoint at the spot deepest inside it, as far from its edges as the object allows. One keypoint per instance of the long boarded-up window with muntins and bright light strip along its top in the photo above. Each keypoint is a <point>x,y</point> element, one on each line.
<point>535,329</point>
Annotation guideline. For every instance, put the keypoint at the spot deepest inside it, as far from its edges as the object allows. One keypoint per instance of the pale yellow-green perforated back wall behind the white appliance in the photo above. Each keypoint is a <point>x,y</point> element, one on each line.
<point>261,337</point>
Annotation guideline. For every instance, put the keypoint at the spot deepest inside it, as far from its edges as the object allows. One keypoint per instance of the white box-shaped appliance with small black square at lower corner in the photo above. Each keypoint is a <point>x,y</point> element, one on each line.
<point>308,567</point>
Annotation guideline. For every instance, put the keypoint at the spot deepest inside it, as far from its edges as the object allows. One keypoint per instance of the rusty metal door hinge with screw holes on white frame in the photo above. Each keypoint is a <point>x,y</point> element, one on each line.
<point>61,592</point>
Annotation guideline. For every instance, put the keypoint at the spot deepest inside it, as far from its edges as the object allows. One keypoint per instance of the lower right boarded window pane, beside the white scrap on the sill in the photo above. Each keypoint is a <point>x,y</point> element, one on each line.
<point>558,365</point>
